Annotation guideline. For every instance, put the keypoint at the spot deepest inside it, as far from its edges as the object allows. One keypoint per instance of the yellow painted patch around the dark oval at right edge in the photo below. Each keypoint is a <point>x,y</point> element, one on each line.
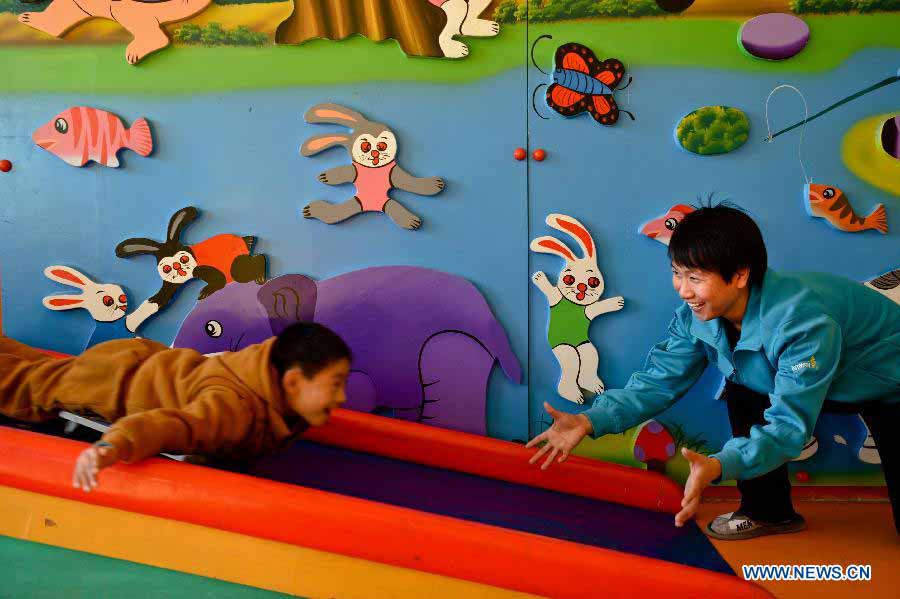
<point>863,154</point>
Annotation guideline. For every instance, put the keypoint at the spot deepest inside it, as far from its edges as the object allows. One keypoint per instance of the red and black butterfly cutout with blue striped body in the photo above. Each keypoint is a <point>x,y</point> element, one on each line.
<point>582,82</point>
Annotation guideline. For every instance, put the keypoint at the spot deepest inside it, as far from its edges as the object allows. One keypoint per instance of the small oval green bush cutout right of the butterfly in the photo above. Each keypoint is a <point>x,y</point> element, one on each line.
<point>713,130</point>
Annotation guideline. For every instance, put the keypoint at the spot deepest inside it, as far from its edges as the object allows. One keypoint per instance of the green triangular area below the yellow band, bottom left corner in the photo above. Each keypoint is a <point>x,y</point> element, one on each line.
<point>39,571</point>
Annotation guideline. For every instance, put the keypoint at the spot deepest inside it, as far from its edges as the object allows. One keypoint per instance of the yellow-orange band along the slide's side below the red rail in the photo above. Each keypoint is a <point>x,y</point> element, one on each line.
<point>219,554</point>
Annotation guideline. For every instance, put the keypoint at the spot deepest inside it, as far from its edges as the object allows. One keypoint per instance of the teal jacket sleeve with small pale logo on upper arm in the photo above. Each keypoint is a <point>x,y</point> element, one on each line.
<point>808,351</point>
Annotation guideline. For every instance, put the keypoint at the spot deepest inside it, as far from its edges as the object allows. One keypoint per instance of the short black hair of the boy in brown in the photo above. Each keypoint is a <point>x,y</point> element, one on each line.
<point>308,345</point>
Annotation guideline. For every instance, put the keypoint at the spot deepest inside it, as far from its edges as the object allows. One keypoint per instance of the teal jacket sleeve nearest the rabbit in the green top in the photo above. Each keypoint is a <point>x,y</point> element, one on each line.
<point>671,367</point>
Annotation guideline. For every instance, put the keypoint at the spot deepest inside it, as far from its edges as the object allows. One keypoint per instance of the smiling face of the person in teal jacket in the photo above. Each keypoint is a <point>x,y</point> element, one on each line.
<point>709,295</point>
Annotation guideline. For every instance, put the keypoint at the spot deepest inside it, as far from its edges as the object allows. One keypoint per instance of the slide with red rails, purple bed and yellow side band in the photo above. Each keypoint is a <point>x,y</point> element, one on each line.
<point>369,506</point>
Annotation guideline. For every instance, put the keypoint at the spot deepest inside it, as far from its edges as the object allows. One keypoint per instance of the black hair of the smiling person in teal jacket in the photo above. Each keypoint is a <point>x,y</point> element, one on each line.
<point>722,239</point>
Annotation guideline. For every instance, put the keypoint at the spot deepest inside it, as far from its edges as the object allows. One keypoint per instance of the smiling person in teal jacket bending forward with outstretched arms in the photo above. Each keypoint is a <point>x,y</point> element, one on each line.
<point>789,346</point>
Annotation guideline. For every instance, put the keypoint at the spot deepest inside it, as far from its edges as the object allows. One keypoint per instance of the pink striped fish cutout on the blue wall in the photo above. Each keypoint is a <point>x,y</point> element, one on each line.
<point>81,133</point>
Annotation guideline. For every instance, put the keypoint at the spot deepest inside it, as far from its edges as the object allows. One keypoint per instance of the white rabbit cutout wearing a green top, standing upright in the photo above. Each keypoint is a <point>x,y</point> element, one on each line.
<point>574,303</point>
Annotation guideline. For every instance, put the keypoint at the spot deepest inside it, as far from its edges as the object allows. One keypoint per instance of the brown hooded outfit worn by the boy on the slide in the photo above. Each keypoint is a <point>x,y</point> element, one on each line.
<point>159,399</point>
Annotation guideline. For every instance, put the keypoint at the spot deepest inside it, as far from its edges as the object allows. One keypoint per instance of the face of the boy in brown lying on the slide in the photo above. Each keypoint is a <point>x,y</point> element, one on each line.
<point>314,398</point>
